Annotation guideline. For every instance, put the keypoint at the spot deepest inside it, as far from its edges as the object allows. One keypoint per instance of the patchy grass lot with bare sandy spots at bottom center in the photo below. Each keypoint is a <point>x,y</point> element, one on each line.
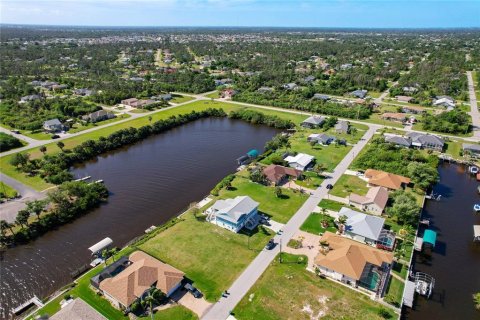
<point>287,290</point>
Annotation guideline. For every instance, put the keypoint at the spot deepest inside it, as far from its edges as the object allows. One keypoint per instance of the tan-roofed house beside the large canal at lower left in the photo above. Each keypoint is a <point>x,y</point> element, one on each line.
<point>141,273</point>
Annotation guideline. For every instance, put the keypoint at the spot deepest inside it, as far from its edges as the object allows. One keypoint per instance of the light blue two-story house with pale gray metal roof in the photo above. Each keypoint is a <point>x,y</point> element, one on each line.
<point>234,214</point>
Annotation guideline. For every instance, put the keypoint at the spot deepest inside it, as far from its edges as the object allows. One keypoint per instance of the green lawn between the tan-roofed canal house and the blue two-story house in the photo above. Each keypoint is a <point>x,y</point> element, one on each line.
<point>211,256</point>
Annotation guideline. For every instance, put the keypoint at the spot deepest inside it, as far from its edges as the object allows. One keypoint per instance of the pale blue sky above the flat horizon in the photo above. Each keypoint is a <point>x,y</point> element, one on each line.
<point>273,13</point>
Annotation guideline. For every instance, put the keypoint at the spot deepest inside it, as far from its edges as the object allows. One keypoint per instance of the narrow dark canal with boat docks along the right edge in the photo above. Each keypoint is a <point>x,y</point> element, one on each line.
<point>455,261</point>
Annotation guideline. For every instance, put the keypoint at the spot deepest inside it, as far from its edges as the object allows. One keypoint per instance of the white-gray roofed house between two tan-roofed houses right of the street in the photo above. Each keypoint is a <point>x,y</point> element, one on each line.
<point>362,227</point>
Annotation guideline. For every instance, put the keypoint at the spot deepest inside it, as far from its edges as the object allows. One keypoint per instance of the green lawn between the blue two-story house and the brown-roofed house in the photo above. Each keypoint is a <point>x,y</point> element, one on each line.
<point>281,209</point>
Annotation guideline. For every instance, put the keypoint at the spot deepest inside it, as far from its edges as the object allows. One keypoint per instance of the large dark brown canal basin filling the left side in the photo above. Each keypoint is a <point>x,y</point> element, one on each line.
<point>150,182</point>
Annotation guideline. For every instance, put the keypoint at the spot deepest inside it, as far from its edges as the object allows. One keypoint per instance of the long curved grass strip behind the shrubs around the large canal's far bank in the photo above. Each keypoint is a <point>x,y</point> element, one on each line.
<point>38,183</point>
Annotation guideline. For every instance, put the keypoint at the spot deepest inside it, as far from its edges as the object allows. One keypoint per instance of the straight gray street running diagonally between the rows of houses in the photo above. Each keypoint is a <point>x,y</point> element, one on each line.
<point>221,310</point>
